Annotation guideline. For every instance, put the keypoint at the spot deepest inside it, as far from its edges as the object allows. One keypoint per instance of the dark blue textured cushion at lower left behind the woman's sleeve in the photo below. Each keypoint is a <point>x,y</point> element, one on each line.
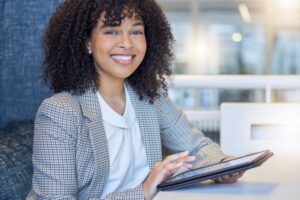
<point>15,159</point>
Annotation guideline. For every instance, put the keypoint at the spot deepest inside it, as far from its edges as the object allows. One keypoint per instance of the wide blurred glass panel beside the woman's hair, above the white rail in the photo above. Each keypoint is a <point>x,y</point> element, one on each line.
<point>217,41</point>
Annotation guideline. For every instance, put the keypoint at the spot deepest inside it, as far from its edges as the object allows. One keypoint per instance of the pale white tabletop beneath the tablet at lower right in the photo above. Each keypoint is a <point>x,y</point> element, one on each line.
<point>277,179</point>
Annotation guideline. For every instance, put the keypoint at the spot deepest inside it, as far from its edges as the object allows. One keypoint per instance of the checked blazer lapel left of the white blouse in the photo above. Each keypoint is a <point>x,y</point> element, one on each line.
<point>92,111</point>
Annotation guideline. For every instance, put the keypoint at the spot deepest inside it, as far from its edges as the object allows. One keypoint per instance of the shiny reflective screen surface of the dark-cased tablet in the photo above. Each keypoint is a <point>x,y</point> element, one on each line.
<point>213,168</point>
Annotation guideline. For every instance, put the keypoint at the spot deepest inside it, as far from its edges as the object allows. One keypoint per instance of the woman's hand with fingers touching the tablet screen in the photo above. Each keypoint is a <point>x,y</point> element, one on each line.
<point>164,169</point>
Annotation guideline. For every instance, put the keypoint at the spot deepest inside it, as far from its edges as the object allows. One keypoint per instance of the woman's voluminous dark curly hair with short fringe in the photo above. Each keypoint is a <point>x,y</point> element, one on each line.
<point>69,67</point>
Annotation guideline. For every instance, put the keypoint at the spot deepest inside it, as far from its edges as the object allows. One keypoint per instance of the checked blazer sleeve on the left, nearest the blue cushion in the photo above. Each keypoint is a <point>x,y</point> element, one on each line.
<point>54,159</point>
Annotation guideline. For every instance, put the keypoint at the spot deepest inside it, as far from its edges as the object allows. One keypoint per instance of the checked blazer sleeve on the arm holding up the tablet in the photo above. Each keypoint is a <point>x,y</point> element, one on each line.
<point>179,135</point>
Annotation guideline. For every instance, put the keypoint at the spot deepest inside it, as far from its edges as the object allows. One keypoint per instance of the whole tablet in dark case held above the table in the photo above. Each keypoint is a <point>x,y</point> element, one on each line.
<point>216,170</point>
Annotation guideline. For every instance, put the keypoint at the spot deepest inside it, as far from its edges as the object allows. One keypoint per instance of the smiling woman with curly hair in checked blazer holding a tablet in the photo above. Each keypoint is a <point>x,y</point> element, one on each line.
<point>101,135</point>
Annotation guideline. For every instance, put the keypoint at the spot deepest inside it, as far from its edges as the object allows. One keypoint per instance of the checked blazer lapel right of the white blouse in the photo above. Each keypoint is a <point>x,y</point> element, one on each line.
<point>149,126</point>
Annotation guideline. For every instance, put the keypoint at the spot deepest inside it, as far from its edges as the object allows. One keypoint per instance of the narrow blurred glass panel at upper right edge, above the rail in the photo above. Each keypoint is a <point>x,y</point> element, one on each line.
<point>286,52</point>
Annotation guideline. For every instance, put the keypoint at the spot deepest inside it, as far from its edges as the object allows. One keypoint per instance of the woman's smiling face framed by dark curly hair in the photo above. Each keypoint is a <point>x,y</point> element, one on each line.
<point>118,50</point>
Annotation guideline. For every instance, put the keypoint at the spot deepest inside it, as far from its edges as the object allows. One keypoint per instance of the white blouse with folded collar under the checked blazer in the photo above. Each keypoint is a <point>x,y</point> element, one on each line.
<point>127,155</point>
